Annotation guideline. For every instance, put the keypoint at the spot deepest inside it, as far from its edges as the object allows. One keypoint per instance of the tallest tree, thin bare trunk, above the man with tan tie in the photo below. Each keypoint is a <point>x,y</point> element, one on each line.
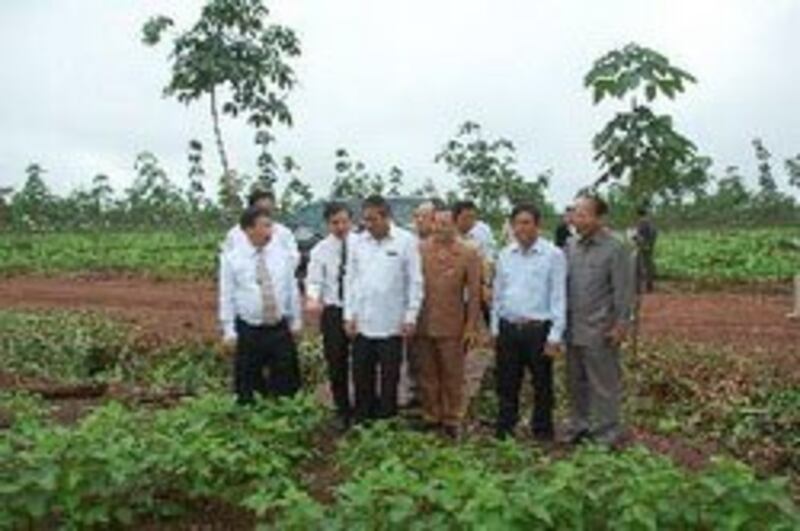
<point>235,57</point>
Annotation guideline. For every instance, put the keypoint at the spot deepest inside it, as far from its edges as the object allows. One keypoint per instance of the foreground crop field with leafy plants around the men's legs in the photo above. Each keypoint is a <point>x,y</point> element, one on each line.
<point>103,427</point>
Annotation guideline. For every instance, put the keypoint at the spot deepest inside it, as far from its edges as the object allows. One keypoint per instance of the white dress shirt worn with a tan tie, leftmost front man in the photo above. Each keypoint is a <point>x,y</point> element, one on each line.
<point>240,292</point>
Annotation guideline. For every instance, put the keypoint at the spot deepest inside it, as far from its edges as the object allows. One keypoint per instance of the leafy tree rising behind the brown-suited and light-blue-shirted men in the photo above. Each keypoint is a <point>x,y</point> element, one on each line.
<point>487,173</point>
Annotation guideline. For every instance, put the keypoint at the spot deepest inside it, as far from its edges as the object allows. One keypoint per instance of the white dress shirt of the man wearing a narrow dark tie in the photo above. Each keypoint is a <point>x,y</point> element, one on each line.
<point>322,281</point>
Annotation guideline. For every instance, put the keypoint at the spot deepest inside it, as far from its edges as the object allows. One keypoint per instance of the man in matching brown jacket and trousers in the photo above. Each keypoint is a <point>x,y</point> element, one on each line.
<point>448,326</point>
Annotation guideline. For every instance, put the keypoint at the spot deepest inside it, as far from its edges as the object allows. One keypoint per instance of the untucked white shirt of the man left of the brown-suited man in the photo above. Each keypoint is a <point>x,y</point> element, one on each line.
<point>383,284</point>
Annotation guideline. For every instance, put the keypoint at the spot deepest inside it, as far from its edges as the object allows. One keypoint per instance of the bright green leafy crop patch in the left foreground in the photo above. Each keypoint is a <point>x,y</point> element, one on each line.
<point>118,463</point>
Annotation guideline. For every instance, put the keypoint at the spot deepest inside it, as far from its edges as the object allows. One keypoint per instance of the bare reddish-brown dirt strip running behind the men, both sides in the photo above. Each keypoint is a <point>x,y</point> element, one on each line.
<point>186,310</point>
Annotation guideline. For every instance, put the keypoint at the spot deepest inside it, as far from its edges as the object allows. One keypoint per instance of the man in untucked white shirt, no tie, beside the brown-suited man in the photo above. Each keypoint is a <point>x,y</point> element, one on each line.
<point>383,295</point>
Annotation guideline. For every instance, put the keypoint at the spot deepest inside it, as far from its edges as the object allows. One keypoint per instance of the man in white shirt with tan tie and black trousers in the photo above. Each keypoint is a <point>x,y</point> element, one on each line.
<point>259,310</point>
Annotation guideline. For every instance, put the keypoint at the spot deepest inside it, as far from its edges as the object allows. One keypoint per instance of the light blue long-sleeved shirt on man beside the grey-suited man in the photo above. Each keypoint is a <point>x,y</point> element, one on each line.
<point>531,285</point>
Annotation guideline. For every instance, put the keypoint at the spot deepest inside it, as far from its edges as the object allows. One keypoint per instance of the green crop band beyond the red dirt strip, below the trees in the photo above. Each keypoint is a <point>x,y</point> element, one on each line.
<point>741,255</point>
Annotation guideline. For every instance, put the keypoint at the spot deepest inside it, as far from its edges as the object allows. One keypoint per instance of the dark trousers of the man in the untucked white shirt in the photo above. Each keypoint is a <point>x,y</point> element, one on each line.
<point>376,361</point>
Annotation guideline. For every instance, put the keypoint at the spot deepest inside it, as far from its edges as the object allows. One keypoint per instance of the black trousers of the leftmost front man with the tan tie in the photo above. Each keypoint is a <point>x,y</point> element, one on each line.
<point>265,347</point>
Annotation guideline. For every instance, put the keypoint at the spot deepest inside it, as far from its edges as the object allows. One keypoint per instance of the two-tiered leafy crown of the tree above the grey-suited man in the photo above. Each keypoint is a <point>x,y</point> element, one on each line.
<point>638,146</point>
